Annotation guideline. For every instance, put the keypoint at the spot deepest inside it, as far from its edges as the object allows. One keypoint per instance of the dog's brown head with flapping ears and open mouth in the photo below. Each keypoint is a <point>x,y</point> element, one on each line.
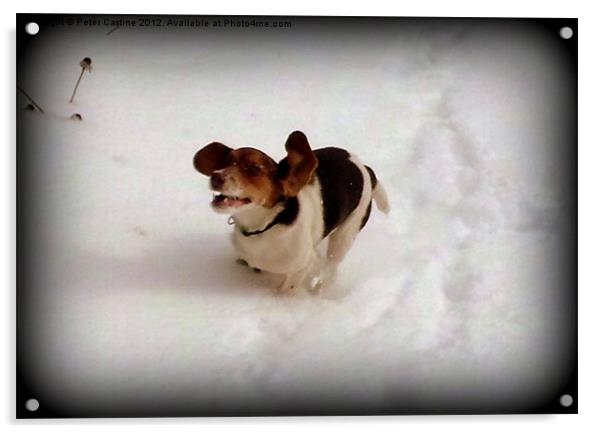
<point>245,176</point>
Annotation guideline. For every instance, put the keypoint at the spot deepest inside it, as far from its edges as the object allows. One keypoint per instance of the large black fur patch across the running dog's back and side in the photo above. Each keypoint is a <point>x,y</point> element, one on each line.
<point>342,185</point>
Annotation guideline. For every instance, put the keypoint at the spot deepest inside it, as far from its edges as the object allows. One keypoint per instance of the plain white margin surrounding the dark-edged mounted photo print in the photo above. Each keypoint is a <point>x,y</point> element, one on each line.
<point>590,215</point>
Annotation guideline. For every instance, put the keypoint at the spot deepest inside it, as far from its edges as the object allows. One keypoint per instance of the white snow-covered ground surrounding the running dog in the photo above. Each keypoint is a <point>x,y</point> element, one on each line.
<point>449,302</point>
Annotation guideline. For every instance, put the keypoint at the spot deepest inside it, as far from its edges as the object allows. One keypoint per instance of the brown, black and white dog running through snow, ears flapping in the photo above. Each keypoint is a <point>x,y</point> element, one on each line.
<point>282,211</point>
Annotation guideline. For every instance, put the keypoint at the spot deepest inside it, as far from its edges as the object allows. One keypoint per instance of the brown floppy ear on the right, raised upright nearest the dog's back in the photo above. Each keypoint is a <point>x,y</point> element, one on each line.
<point>297,169</point>
